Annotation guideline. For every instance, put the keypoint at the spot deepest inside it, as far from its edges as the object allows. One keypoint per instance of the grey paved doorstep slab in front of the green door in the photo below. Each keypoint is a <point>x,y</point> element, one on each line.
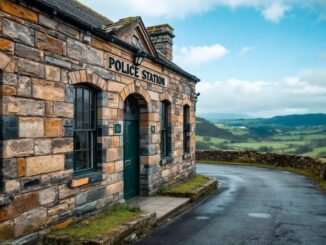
<point>163,206</point>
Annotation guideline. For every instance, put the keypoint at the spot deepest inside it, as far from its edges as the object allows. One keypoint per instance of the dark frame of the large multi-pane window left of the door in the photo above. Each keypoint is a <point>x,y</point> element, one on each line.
<point>90,132</point>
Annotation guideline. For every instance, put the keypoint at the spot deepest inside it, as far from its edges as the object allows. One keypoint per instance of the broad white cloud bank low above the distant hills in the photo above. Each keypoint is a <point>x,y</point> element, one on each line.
<point>303,93</point>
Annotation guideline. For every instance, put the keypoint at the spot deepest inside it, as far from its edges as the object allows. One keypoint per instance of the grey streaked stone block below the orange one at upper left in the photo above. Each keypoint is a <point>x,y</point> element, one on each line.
<point>18,32</point>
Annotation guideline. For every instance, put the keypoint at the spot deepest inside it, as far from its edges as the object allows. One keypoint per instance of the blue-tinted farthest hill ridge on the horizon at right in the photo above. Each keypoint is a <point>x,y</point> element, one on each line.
<point>306,120</point>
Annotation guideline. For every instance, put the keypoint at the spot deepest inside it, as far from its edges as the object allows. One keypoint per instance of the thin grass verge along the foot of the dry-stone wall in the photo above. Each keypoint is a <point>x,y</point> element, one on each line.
<point>321,184</point>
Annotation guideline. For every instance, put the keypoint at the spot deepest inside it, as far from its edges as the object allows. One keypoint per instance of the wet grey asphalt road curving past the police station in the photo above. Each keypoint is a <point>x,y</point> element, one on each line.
<point>252,206</point>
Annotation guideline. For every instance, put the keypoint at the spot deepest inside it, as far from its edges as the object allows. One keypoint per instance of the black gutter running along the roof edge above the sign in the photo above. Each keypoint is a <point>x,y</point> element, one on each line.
<point>51,9</point>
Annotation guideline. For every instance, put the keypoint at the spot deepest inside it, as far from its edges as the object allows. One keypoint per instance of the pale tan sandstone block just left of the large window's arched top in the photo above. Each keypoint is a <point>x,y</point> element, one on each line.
<point>47,90</point>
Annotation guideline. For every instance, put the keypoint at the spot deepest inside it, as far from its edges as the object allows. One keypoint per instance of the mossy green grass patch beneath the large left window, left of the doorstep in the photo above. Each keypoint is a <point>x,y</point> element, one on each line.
<point>103,223</point>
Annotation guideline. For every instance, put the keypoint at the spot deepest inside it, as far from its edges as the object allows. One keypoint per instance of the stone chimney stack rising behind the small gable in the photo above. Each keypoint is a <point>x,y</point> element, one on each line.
<point>162,38</point>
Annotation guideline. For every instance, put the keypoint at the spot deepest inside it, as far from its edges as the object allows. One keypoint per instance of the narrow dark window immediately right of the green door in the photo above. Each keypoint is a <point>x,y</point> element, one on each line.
<point>165,135</point>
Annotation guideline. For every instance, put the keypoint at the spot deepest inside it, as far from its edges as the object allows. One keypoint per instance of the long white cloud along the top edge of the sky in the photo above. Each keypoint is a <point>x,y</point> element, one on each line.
<point>272,10</point>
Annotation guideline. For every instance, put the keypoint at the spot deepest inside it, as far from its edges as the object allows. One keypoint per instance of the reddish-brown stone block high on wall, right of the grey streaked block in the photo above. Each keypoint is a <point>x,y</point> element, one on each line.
<point>49,43</point>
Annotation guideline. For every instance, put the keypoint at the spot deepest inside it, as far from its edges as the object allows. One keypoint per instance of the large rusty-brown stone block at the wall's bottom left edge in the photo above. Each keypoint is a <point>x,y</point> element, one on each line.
<point>19,205</point>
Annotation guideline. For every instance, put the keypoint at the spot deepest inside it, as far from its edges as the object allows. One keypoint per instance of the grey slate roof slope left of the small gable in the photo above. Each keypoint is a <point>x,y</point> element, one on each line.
<point>79,11</point>
